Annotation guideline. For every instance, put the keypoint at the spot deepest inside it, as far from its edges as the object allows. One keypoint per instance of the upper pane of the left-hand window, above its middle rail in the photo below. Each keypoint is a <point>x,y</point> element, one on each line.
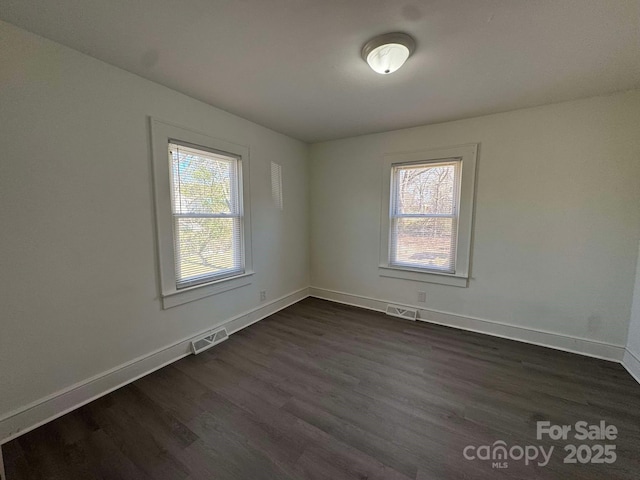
<point>202,182</point>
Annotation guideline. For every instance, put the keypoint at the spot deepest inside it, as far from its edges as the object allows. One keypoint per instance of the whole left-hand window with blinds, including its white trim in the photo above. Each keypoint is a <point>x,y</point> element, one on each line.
<point>202,214</point>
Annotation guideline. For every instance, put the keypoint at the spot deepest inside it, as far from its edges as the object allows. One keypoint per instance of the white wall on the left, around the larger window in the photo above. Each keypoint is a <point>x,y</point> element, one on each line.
<point>79,291</point>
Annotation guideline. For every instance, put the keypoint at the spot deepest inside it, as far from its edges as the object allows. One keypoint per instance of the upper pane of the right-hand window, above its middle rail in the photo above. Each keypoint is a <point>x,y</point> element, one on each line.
<point>426,189</point>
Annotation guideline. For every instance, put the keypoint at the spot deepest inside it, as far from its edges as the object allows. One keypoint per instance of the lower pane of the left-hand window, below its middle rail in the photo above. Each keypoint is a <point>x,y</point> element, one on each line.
<point>206,247</point>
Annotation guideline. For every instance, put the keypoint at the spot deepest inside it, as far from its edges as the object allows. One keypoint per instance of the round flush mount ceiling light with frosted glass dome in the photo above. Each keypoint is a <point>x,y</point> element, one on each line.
<point>387,53</point>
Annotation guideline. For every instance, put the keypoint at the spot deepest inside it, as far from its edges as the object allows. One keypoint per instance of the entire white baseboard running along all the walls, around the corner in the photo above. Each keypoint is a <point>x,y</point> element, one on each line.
<point>29,417</point>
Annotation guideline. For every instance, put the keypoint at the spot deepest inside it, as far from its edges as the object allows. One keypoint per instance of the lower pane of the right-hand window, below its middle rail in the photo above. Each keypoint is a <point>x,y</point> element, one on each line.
<point>424,243</point>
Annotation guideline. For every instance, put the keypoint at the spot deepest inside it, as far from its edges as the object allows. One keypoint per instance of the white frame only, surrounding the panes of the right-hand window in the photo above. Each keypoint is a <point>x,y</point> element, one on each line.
<point>467,155</point>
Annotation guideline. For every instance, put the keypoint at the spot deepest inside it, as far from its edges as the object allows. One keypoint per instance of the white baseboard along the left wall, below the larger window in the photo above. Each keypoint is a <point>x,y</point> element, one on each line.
<point>24,419</point>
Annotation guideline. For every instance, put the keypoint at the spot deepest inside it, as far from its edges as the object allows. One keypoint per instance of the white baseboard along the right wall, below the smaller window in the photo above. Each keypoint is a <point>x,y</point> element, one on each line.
<point>583,346</point>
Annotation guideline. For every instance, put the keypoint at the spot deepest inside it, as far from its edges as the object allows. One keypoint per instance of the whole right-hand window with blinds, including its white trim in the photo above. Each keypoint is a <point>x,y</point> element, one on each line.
<point>427,215</point>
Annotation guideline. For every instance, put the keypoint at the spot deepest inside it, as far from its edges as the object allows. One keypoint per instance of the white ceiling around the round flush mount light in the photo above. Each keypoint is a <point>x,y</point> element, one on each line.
<point>295,66</point>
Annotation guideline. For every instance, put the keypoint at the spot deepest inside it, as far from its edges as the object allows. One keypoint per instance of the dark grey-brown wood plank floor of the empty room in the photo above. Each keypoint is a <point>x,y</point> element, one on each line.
<point>325,391</point>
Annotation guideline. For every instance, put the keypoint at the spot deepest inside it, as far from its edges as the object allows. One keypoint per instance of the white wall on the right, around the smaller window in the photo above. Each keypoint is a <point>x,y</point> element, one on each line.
<point>557,222</point>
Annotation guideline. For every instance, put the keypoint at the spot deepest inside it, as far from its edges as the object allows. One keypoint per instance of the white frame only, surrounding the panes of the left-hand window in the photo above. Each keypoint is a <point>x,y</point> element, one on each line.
<point>163,133</point>
